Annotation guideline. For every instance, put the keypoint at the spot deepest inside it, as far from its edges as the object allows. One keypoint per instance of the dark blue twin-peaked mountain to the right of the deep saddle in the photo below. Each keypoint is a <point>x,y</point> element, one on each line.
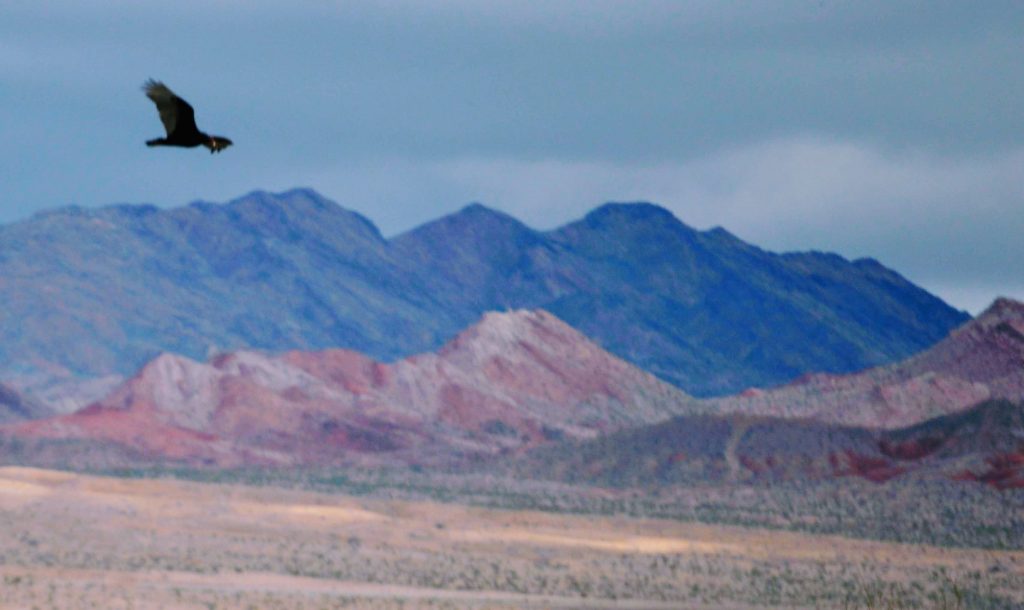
<point>702,310</point>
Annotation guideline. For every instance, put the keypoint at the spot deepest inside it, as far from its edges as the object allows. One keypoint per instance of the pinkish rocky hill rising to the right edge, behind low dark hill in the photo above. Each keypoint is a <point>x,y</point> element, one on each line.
<point>982,361</point>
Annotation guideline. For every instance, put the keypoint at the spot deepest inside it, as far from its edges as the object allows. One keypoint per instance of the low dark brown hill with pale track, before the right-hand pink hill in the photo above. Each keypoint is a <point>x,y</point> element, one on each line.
<point>984,445</point>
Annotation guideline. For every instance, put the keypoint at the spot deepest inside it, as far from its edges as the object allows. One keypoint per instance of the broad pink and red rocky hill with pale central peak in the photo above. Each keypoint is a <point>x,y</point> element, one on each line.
<point>514,381</point>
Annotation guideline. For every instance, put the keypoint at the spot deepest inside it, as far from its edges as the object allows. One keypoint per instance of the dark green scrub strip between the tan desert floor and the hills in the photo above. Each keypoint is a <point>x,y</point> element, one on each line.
<point>918,511</point>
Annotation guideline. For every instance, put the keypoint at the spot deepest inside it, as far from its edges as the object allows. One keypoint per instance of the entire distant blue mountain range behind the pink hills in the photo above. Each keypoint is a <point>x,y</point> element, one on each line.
<point>97,293</point>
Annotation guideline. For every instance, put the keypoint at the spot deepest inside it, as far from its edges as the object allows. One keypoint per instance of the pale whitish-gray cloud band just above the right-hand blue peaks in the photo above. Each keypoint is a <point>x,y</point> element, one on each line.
<point>952,224</point>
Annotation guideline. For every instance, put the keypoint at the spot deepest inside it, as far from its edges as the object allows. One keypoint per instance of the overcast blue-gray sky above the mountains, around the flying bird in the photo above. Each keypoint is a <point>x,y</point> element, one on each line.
<point>886,129</point>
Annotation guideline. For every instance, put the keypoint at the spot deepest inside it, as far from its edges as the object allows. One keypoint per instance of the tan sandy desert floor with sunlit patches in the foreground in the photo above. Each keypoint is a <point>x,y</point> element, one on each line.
<point>70,541</point>
